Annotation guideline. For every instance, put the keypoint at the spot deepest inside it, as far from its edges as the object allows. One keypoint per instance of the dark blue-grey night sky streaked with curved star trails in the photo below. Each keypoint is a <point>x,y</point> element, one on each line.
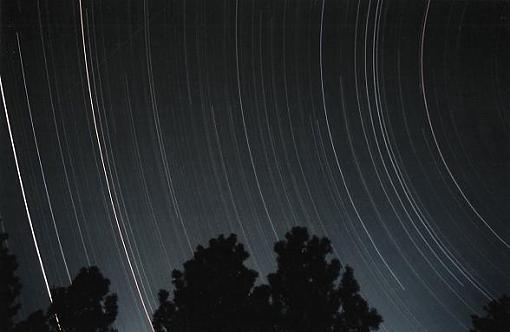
<point>143,128</point>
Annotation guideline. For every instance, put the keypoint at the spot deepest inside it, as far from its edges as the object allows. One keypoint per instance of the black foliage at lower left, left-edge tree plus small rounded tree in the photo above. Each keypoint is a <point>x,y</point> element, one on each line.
<point>85,306</point>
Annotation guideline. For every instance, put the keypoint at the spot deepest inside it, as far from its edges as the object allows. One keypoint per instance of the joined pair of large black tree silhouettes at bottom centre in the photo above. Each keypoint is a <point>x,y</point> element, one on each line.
<point>216,292</point>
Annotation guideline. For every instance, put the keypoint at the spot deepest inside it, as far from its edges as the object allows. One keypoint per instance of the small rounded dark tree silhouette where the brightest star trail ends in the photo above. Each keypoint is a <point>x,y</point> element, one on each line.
<point>86,305</point>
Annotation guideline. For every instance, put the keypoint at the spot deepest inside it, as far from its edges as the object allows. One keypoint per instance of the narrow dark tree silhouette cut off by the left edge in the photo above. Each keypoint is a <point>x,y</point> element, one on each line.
<point>10,286</point>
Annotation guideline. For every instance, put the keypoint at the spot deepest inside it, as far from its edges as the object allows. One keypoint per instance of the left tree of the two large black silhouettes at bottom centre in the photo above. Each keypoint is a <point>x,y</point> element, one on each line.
<point>211,293</point>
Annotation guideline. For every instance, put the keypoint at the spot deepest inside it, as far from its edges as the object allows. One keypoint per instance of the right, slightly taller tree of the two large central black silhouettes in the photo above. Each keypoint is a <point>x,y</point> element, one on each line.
<point>304,289</point>
